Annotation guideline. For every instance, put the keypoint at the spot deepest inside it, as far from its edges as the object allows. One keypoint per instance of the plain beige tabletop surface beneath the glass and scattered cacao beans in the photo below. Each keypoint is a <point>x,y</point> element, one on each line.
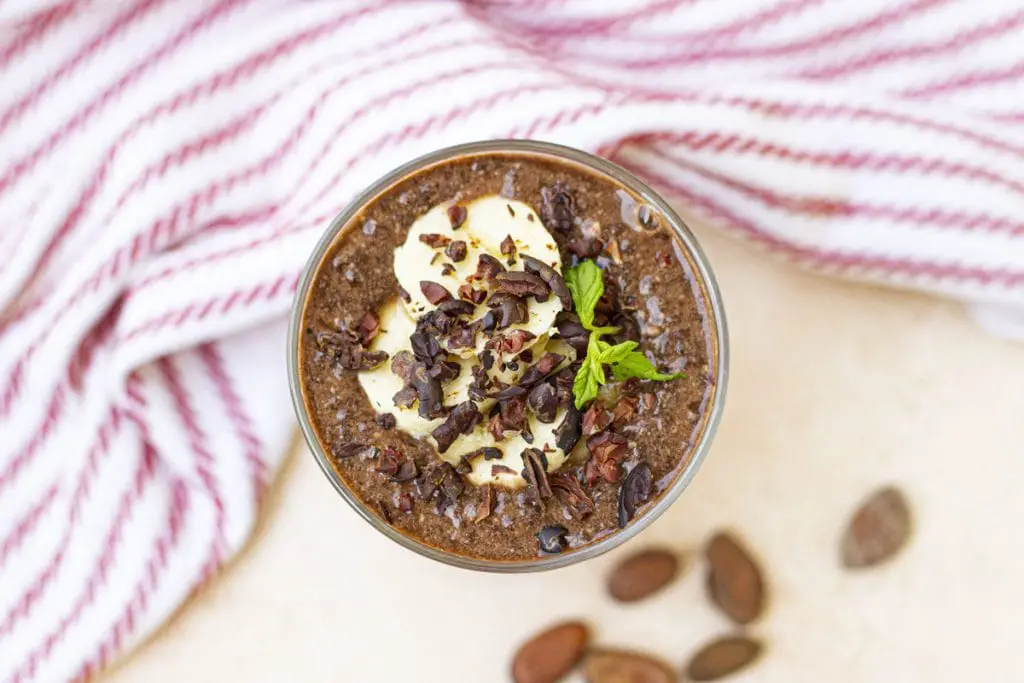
<point>835,390</point>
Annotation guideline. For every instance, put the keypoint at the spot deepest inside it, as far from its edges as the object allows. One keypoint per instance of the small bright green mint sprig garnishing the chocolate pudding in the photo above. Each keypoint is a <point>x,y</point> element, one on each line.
<point>586,284</point>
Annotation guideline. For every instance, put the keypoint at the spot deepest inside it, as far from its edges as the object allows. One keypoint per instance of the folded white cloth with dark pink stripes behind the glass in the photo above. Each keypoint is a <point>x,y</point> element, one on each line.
<point>166,167</point>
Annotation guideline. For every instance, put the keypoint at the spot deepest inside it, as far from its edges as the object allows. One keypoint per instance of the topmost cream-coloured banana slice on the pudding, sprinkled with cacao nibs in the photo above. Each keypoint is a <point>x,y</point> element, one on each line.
<point>489,222</point>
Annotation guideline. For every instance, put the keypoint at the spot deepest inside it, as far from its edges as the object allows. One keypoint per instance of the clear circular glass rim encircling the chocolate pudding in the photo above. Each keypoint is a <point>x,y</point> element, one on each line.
<point>717,326</point>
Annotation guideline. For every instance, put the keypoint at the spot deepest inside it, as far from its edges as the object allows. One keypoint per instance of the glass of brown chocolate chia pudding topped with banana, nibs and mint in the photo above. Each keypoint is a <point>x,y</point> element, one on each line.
<point>508,354</point>
